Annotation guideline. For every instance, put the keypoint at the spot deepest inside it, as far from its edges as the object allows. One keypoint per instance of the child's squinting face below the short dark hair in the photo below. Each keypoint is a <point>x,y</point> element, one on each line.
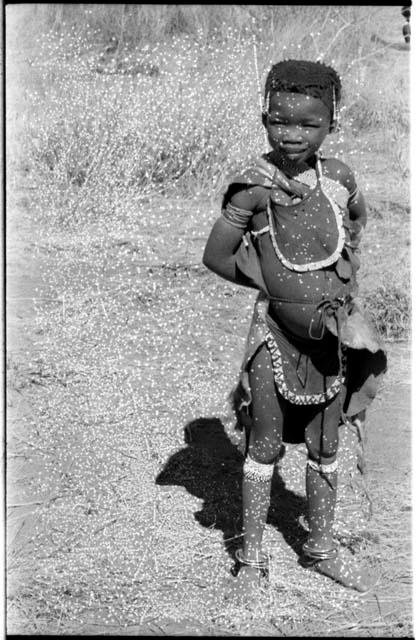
<point>296,125</point>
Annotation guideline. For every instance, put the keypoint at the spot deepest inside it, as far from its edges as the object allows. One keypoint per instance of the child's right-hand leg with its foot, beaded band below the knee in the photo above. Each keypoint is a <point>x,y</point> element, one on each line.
<point>321,437</point>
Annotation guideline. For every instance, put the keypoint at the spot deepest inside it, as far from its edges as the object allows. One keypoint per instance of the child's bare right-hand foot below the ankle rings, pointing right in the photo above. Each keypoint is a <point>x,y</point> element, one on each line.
<point>340,569</point>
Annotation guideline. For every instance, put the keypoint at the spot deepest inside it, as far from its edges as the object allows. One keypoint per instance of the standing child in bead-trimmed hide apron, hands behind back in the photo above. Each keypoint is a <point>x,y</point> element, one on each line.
<point>290,227</point>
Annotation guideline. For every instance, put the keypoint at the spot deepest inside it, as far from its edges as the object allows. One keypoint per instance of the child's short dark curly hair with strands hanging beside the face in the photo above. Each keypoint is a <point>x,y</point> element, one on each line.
<point>314,79</point>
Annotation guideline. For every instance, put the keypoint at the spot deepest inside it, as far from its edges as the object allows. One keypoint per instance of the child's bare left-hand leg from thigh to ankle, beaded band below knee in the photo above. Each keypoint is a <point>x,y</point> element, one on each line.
<point>264,447</point>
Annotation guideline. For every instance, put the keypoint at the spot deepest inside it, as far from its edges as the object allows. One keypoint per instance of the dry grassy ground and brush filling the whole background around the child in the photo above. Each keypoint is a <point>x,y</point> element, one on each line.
<point>124,476</point>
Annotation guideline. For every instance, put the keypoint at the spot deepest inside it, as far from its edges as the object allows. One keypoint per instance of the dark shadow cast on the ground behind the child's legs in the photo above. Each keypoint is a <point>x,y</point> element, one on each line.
<point>211,468</point>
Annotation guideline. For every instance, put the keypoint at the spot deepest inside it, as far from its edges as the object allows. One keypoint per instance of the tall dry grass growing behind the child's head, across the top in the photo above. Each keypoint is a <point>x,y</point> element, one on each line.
<point>111,138</point>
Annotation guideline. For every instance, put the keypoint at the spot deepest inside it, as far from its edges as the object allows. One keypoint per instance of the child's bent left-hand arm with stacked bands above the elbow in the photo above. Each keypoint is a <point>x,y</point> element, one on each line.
<point>226,235</point>
